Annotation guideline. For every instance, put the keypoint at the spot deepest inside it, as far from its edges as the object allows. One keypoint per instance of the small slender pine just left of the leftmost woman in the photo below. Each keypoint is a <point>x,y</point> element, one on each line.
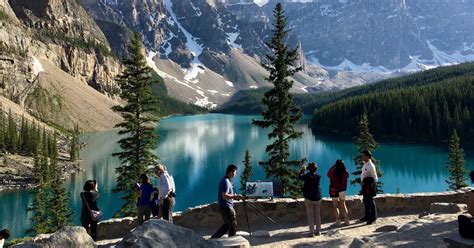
<point>59,212</point>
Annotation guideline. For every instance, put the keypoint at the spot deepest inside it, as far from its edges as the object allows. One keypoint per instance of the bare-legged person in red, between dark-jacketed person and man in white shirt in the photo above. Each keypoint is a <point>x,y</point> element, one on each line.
<point>338,175</point>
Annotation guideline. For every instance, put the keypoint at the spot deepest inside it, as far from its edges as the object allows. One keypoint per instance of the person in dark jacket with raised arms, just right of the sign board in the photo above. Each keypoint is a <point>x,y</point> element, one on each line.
<point>312,197</point>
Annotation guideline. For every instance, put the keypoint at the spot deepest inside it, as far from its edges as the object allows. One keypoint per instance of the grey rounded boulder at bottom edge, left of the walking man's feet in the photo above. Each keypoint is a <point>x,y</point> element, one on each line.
<point>160,233</point>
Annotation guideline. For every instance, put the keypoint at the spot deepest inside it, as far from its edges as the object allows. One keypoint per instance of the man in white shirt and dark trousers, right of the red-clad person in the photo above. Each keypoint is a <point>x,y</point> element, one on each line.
<point>369,178</point>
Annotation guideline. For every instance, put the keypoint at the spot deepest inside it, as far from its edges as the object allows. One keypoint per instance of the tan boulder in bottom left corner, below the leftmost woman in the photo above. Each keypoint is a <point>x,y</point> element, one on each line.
<point>69,236</point>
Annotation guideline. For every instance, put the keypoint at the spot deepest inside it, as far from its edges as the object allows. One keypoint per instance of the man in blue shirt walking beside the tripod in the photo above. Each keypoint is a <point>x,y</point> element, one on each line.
<point>225,197</point>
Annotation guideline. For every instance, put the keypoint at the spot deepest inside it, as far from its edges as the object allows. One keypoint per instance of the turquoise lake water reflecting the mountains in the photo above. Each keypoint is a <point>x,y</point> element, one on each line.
<point>197,149</point>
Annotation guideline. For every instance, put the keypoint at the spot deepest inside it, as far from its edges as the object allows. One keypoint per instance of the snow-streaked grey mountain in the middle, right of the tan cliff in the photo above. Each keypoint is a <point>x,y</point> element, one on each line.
<point>204,52</point>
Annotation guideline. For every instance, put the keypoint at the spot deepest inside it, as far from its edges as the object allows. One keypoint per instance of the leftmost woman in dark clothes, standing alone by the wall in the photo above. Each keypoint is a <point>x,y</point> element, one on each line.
<point>89,203</point>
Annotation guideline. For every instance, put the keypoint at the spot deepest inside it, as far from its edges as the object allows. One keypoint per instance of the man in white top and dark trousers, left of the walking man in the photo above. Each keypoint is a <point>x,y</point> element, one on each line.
<point>167,192</point>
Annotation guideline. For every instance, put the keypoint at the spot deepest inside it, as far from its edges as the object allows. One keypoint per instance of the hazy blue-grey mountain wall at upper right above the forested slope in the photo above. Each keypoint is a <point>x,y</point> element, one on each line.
<point>375,36</point>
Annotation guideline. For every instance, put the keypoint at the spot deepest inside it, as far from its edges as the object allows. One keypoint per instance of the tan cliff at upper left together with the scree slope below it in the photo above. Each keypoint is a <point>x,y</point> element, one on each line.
<point>52,43</point>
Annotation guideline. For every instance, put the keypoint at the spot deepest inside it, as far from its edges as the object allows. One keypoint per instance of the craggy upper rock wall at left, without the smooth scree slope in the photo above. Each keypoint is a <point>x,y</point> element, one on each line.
<point>60,32</point>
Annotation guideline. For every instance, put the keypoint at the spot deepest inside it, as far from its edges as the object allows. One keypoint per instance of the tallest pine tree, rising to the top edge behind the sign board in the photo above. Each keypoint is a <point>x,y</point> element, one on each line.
<point>280,112</point>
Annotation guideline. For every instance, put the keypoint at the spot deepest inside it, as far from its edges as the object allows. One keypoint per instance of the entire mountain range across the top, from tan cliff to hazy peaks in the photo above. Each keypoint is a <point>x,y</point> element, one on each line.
<point>207,50</point>
